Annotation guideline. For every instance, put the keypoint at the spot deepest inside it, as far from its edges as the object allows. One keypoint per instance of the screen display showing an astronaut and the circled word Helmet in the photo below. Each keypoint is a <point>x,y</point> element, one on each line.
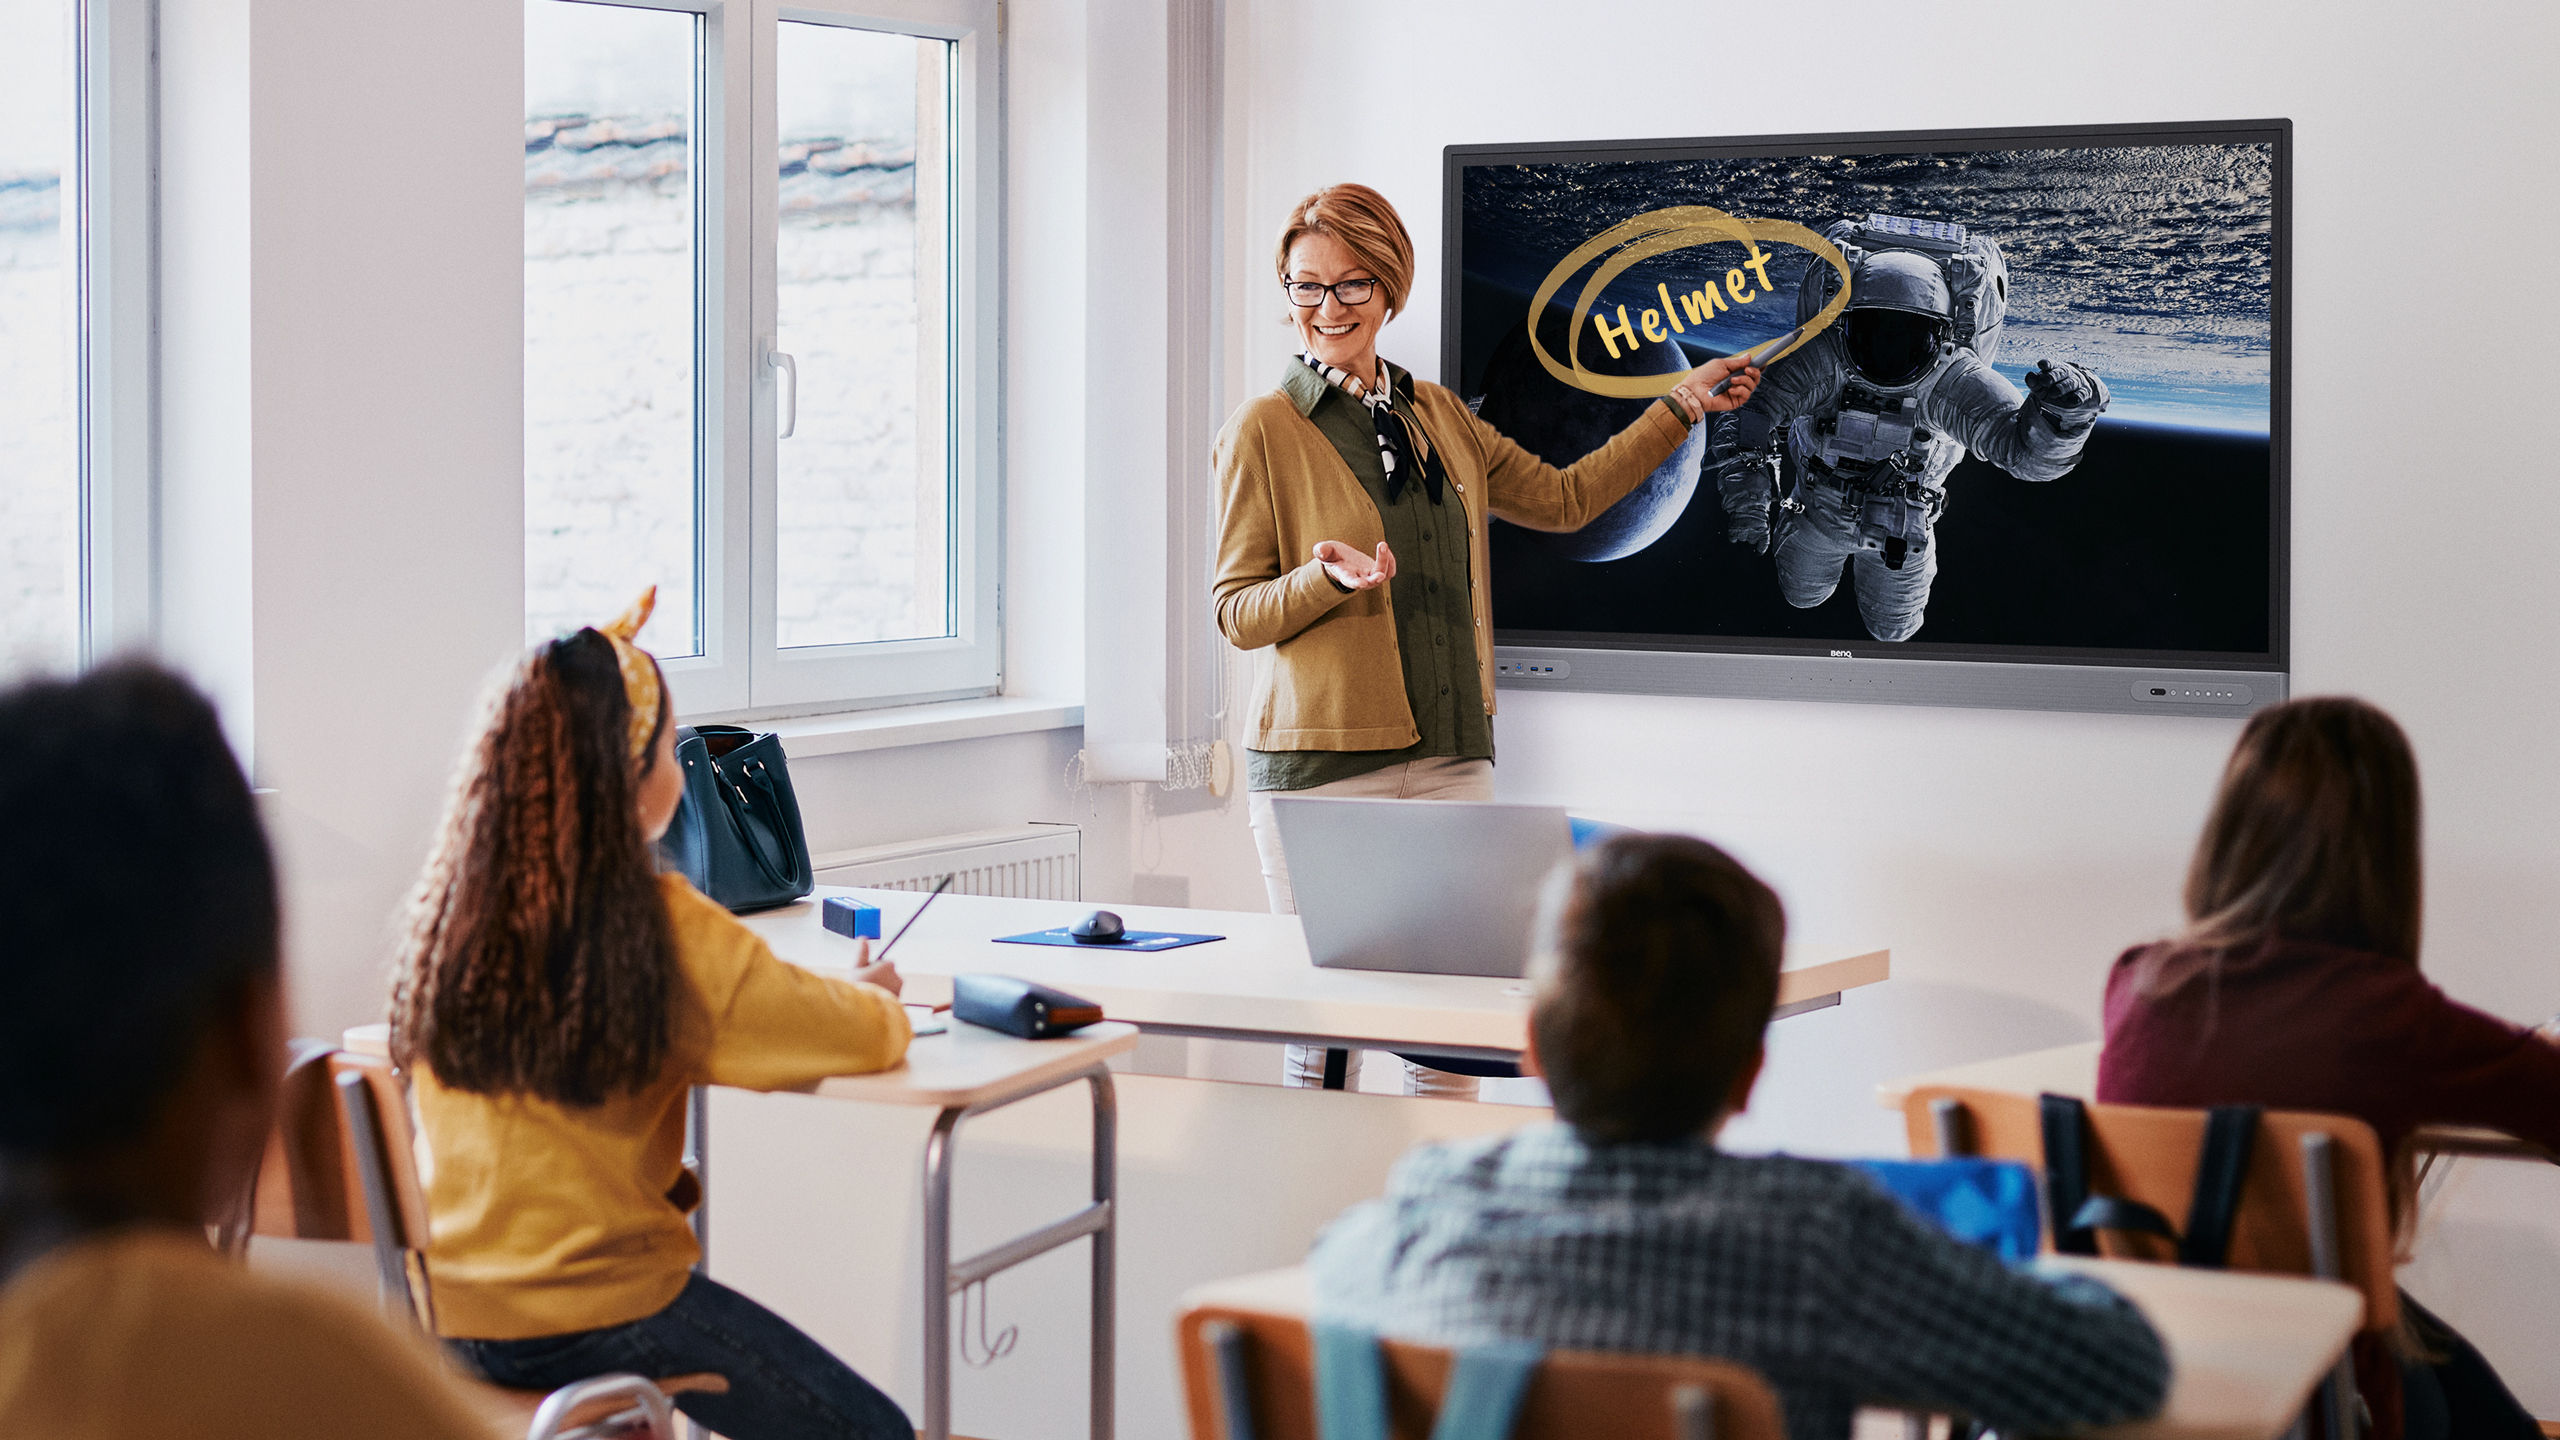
<point>2021,398</point>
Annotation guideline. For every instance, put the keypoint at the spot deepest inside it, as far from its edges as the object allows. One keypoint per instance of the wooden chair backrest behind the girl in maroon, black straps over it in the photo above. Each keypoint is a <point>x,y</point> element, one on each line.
<point>2149,1154</point>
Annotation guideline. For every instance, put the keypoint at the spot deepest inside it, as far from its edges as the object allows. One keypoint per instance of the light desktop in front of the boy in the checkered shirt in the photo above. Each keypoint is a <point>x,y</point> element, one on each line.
<point>2244,1352</point>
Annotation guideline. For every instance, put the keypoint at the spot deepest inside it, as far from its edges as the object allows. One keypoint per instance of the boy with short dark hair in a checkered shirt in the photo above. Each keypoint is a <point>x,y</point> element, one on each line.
<point>1624,1226</point>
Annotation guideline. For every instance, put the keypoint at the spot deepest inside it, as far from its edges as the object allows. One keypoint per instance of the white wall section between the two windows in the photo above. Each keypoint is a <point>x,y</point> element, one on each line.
<point>342,424</point>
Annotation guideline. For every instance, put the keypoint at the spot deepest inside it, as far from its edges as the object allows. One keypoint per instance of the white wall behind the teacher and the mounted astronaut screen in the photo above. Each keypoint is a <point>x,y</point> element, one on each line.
<point>2011,857</point>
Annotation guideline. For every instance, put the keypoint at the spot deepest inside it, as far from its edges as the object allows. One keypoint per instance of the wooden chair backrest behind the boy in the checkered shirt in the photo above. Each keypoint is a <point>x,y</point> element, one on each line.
<point>1268,1362</point>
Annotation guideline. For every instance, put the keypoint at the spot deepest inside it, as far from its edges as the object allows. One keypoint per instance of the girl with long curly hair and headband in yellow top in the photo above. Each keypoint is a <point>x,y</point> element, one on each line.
<point>557,1001</point>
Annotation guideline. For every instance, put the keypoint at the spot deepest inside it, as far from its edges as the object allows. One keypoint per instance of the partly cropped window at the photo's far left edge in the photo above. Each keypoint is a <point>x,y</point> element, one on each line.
<point>76,242</point>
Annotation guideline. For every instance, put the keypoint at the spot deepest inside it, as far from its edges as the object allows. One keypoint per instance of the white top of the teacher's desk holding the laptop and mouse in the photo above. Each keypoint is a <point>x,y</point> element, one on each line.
<point>1253,985</point>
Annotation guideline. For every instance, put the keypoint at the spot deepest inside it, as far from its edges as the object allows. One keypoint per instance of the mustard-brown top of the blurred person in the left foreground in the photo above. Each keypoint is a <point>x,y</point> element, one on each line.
<point>147,1334</point>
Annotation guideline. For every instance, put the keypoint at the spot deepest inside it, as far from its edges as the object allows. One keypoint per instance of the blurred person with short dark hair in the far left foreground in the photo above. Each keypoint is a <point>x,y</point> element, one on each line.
<point>142,1042</point>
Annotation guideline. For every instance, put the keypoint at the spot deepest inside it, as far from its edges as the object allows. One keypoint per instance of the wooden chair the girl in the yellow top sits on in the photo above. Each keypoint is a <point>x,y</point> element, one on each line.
<point>342,1165</point>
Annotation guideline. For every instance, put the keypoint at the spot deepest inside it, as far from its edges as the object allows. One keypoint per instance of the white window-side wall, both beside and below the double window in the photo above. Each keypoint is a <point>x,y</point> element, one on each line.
<point>344,445</point>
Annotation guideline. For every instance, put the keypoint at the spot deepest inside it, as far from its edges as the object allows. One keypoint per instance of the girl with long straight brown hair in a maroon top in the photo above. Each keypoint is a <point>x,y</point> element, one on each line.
<point>2298,988</point>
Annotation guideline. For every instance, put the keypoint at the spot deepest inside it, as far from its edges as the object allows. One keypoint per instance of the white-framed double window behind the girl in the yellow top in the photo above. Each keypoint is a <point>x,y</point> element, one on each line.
<point>762,342</point>
